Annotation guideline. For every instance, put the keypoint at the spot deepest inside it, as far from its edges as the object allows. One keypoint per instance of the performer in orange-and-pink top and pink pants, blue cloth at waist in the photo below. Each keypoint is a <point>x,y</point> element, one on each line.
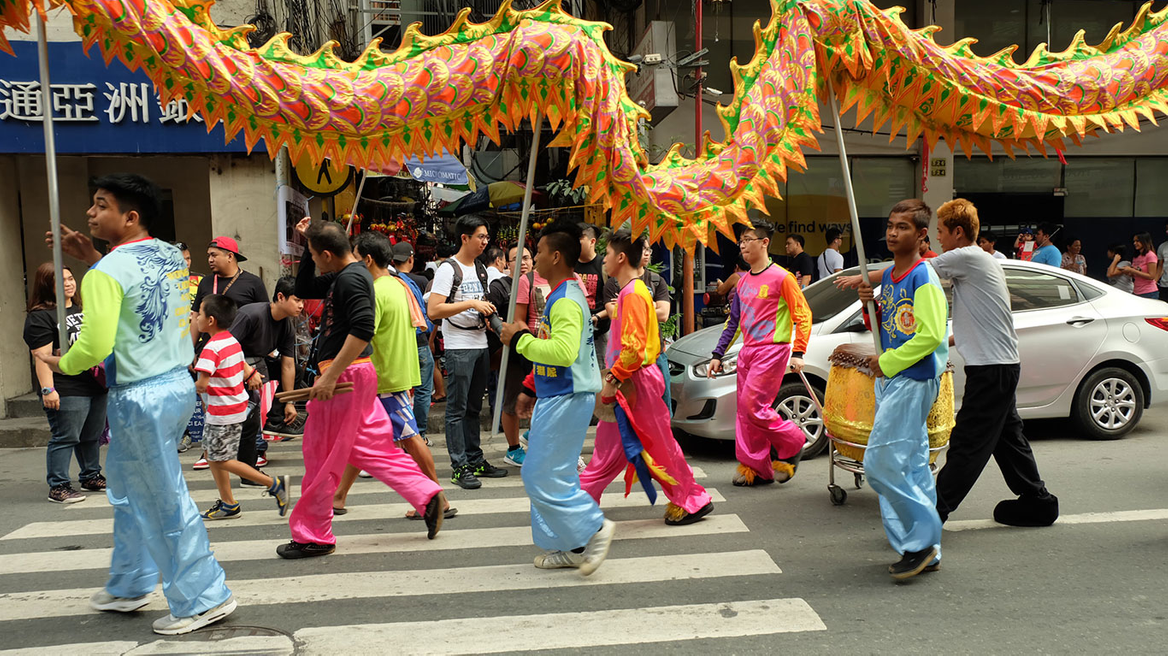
<point>634,346</point>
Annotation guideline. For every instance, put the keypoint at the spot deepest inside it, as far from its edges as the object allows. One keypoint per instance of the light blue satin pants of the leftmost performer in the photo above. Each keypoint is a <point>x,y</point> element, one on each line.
<point>156,524</point>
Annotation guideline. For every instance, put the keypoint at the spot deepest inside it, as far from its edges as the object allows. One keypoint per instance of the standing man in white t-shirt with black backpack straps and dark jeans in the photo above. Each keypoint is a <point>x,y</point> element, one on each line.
<point>464,312</point>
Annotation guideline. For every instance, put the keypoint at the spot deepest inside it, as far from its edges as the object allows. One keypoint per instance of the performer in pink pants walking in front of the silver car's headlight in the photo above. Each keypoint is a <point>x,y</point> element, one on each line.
<point>771,312</point>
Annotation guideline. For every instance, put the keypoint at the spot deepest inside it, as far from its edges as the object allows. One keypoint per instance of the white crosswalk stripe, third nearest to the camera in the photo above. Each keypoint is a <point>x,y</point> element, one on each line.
<point>376,543</point>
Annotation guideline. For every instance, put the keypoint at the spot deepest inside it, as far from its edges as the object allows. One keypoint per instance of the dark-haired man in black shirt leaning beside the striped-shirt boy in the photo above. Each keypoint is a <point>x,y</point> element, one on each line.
<point>261,330</point>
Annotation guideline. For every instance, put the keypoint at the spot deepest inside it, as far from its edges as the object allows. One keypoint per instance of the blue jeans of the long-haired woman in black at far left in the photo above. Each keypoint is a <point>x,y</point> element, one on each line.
<point>77,428</point>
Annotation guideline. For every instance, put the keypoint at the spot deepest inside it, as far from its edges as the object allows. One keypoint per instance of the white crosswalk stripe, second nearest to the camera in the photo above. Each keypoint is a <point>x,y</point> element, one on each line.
<point>448,581</point>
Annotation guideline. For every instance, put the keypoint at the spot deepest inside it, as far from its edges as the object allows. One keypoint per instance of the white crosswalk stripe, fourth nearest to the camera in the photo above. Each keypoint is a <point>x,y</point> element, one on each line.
<point>268,518</point>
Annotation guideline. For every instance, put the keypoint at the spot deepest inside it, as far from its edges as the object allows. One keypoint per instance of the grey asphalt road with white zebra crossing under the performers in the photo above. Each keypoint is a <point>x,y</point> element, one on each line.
<point>817,578</point>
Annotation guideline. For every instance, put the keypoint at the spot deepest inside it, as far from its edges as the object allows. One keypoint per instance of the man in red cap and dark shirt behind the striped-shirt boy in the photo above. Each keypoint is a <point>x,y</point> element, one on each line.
<point>245,289</point>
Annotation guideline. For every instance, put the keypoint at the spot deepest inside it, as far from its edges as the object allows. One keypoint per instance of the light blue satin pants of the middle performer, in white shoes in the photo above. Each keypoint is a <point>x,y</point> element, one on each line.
<point>564,517</point>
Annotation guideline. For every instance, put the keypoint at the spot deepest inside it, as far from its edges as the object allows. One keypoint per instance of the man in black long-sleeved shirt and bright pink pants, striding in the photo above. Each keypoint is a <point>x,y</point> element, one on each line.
<point>351,428</point>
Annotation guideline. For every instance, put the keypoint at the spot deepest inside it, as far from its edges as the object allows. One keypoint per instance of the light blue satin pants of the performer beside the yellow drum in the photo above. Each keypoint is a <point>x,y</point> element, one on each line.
<point>896,464</point>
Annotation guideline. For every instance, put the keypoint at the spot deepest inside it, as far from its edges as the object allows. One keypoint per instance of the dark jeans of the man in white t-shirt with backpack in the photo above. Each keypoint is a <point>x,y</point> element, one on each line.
<point>467,382</point>
